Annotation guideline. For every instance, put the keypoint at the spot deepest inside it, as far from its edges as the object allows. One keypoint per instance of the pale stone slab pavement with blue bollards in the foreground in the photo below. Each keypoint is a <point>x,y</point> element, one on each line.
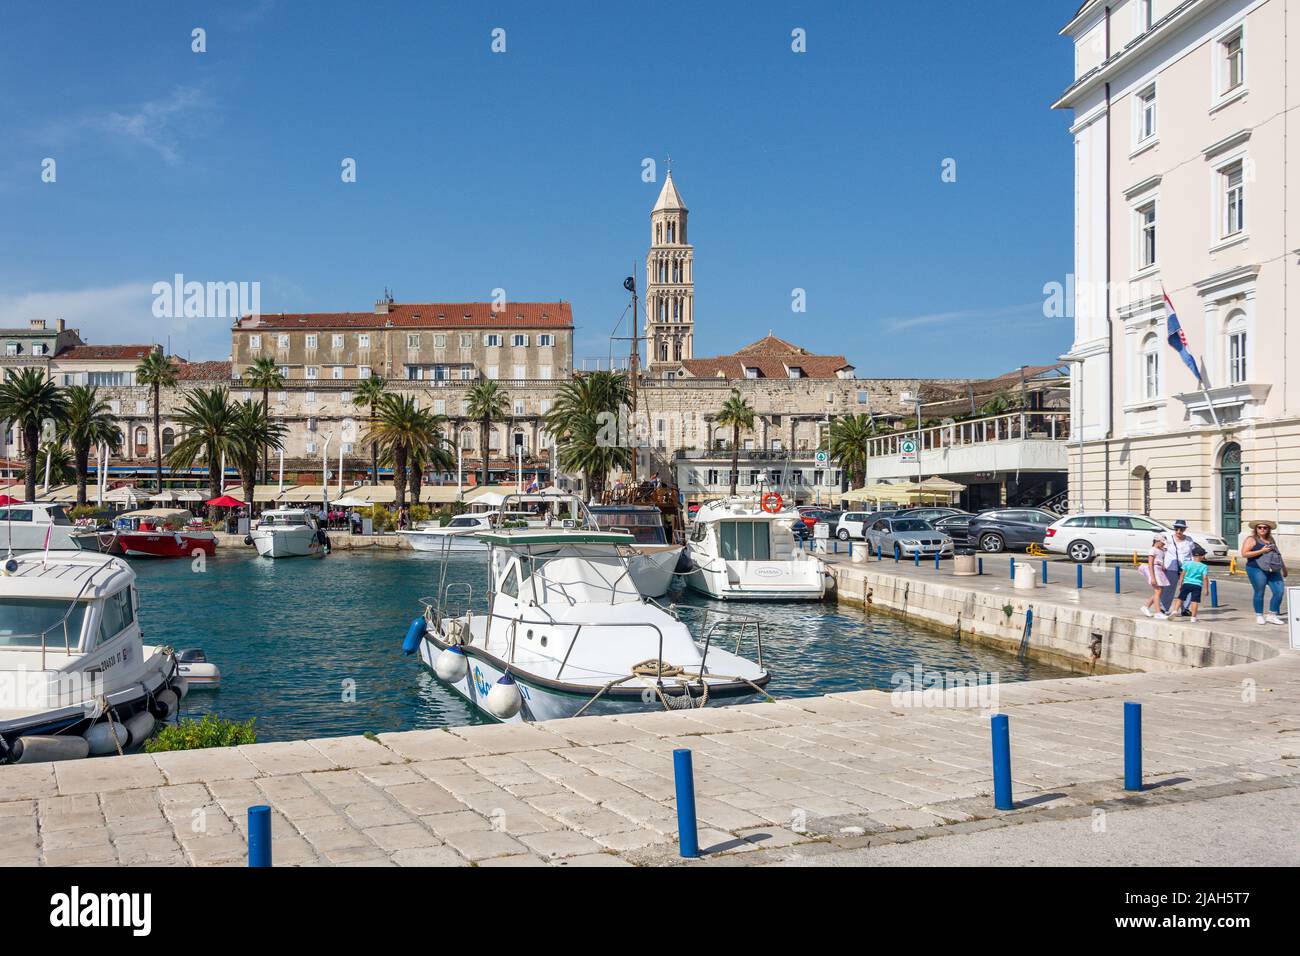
<point>829,780</point>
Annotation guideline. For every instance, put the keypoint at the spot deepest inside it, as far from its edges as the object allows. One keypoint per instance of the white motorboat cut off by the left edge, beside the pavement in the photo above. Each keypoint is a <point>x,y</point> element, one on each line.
<point>76,677</point>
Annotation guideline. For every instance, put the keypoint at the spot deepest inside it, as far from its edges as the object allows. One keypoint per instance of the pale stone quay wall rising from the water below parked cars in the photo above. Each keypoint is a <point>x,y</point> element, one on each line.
<point>1072,637</point>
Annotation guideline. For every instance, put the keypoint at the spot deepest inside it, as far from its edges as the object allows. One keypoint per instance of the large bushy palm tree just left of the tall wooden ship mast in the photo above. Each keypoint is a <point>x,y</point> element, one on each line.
<point>577,423</point>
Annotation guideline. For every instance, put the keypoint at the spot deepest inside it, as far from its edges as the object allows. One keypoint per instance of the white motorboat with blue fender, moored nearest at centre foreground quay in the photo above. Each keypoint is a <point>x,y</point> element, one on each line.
<point>567,633</point>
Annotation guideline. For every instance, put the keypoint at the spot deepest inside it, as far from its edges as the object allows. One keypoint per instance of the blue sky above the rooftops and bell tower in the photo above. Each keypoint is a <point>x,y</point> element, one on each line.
<point>475,171</point>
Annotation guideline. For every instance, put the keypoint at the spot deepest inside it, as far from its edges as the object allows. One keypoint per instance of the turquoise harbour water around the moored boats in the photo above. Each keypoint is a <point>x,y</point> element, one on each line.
<point>314,647</point>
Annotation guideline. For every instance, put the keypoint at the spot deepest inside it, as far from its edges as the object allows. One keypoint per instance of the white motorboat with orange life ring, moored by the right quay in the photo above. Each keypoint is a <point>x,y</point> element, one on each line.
<point>742,551</point>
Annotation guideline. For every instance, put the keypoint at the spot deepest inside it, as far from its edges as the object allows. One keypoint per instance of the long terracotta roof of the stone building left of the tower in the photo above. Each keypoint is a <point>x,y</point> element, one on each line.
<point>424,315</point>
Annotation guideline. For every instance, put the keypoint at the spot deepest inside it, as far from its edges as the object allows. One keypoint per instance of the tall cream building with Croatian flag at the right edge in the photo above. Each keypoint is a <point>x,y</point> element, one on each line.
<point>1184,137</point>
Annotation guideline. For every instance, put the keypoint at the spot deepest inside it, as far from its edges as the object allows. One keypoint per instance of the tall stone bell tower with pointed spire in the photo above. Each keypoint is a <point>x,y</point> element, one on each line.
<point>670,282</point>
